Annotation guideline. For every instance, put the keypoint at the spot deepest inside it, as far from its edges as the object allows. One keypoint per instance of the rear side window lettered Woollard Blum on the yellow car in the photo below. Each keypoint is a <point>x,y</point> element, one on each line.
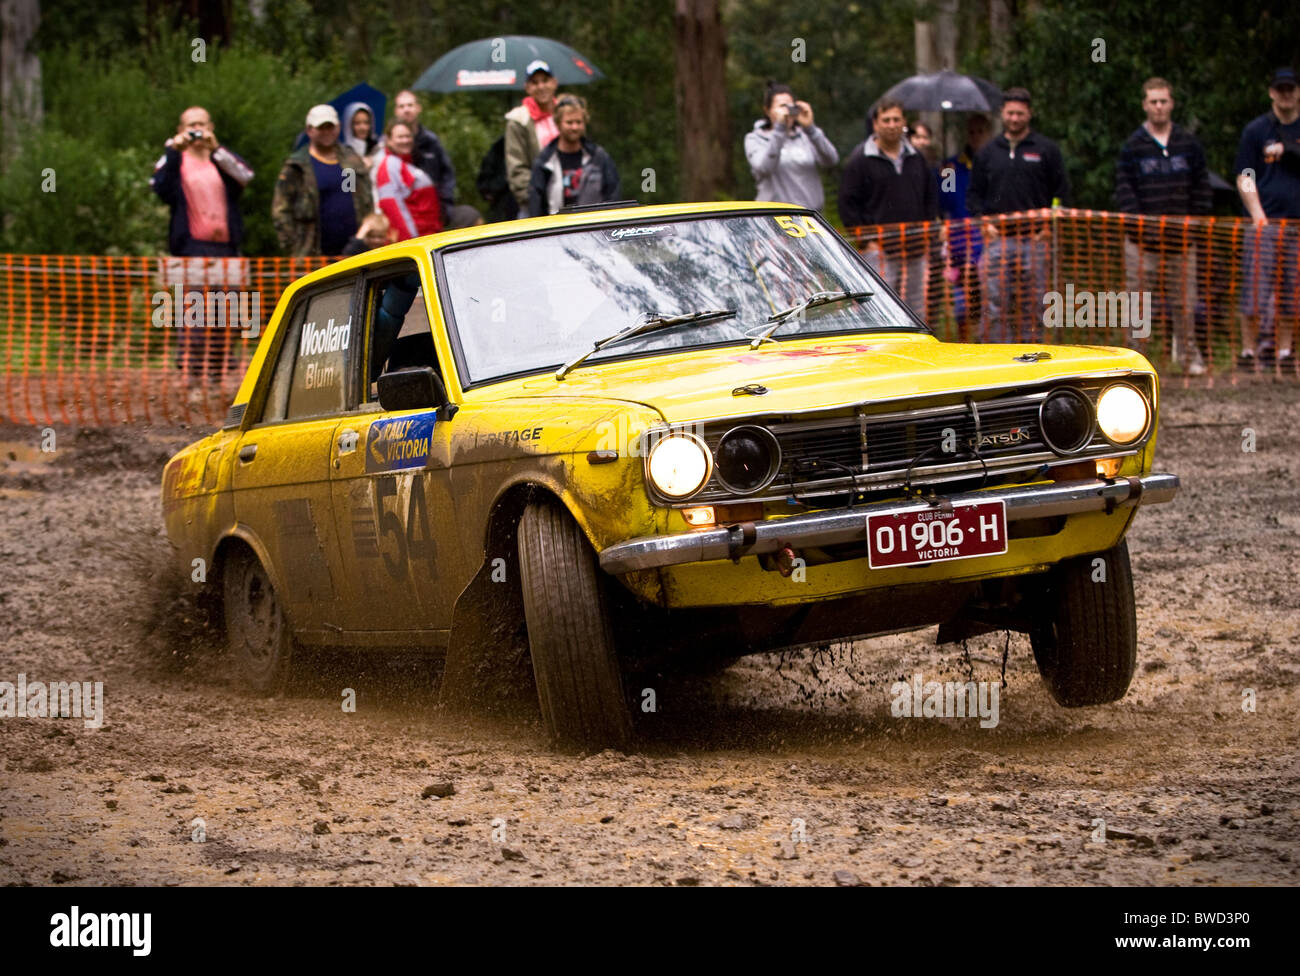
<point>322,353</point>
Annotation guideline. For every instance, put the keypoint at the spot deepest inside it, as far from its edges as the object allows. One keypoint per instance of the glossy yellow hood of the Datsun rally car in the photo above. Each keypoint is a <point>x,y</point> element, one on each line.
<point>822,375</point>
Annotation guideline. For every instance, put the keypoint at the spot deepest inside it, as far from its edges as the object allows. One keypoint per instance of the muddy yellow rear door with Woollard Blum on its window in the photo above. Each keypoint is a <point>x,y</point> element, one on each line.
<point>283,465</point>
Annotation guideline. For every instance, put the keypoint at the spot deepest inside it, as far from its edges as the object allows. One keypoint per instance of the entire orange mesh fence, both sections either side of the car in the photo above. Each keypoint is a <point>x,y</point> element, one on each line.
<point>97,340</point>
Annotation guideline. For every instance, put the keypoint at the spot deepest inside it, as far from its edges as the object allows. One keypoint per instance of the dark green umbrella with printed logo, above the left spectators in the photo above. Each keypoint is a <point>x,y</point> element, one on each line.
<point>499,64</point>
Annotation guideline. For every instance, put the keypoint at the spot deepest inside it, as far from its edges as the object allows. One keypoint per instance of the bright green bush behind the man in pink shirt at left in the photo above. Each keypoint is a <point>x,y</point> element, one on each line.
<point>106,122</point>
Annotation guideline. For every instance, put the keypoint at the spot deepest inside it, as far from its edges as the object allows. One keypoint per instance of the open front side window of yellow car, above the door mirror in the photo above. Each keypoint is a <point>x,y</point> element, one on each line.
<point>398,320</point>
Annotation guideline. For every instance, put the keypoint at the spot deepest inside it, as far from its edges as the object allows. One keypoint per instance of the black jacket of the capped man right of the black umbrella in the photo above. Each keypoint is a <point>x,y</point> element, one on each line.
<point>1026,180</point>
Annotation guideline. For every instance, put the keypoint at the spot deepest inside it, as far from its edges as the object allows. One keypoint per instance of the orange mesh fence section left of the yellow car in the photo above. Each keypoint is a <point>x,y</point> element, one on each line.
<point>97,341</point>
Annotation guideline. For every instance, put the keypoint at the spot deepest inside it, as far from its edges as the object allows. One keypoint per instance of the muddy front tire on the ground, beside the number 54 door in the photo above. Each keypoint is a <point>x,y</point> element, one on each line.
<point>579,680</point>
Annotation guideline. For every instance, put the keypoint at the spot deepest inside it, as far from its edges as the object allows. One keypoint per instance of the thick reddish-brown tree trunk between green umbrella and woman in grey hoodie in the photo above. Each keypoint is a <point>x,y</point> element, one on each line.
<point>700,45</point>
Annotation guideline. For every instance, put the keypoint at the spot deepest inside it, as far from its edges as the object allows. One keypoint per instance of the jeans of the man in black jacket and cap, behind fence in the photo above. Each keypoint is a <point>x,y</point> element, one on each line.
<point>1015,275</point>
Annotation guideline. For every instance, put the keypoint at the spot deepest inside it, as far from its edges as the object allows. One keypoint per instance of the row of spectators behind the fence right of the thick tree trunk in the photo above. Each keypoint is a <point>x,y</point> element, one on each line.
<point>995,244</point>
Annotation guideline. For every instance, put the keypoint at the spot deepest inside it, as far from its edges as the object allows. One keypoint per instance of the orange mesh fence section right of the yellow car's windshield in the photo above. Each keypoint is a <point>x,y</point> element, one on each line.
<point>1190,293</point>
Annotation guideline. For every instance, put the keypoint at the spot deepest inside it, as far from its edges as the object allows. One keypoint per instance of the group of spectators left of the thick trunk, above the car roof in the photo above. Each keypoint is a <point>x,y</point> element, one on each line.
<point>349,188</point>
